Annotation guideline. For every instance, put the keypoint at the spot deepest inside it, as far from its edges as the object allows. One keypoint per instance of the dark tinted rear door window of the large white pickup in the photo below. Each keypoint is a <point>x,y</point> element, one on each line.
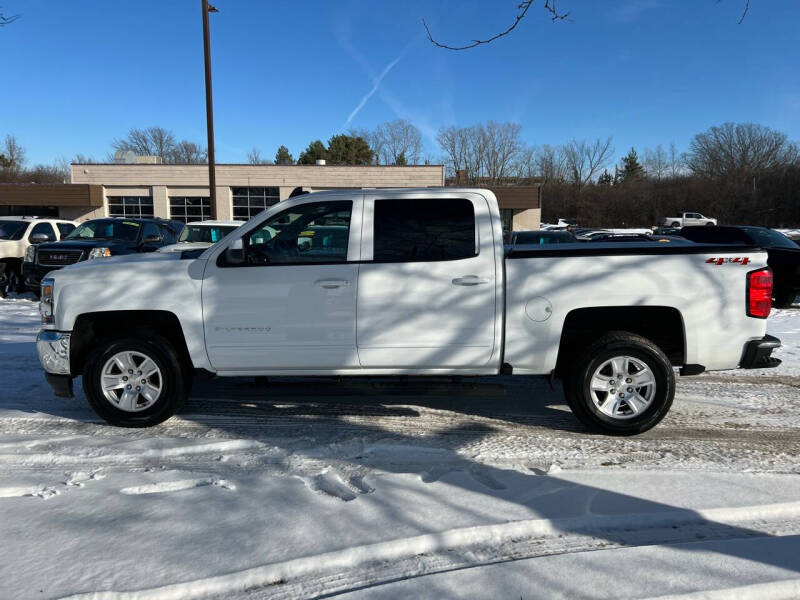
<point>419,230</point>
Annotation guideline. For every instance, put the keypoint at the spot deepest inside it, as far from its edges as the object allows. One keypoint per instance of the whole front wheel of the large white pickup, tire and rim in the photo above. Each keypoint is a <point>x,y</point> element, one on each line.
<point>135,382</point>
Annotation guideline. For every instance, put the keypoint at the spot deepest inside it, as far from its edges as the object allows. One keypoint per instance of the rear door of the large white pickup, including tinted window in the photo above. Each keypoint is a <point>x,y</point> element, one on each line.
<point>427,282</point>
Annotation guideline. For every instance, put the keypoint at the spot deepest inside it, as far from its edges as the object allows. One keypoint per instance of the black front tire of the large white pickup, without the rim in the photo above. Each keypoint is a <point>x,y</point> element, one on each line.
<point>174,383</point>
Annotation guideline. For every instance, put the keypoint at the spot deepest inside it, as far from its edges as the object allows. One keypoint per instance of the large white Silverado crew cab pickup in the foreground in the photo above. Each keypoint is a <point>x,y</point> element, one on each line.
<point>405,282</point>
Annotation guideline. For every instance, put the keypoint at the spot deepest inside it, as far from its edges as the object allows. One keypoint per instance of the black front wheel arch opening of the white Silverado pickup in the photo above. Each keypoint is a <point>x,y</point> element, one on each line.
<point>90,328</point>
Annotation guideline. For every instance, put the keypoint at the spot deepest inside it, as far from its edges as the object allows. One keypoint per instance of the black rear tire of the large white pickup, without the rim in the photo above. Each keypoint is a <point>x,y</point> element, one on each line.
<point>577,383</point>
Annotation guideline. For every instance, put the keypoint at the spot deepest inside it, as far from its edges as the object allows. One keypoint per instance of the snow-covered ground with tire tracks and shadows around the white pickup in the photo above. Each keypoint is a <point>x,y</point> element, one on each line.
<point>376,489</point>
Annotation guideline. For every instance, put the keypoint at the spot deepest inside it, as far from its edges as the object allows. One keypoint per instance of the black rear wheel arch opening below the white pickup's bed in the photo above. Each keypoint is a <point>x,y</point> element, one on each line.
<point>663,325</point>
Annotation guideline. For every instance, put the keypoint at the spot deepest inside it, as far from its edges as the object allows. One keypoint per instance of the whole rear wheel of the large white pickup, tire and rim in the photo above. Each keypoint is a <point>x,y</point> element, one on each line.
<point>622,384</point>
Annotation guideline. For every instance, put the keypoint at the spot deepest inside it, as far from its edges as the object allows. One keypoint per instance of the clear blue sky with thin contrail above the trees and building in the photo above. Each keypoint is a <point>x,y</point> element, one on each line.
<point>78,74</point>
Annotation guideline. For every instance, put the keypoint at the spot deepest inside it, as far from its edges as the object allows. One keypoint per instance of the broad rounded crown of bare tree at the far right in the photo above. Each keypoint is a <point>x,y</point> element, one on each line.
<point>743,149</point>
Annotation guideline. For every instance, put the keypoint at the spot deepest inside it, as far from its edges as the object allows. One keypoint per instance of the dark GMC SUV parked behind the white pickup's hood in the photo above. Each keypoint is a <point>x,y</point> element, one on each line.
<point>97,239</point>
